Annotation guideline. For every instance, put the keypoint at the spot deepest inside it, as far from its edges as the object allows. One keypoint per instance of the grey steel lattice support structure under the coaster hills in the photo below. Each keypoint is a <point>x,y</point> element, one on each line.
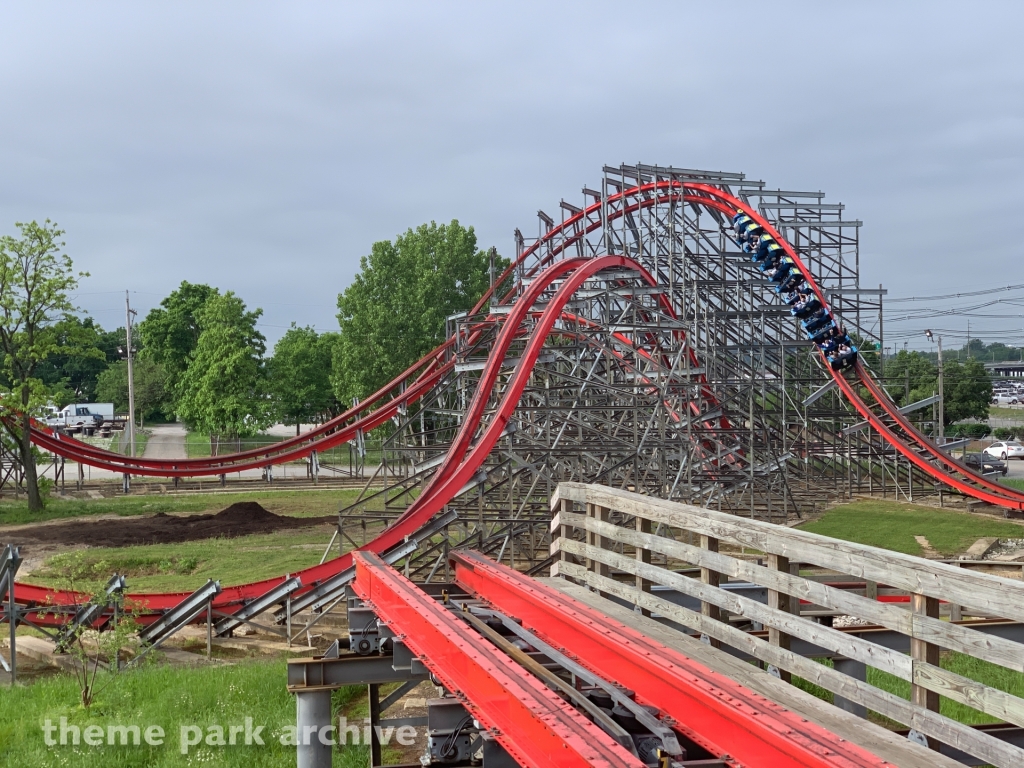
<point>700,389</point>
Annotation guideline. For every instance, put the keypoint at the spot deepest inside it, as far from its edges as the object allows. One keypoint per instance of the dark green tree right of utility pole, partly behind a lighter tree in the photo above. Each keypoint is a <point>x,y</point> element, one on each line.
<point>170,333</point>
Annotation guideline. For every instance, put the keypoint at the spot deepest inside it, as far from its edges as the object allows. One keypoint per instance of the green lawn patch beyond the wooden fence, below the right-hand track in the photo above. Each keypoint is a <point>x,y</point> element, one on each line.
<point>891,526</point>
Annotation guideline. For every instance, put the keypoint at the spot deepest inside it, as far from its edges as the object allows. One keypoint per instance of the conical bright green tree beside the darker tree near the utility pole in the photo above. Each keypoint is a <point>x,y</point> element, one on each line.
<point>223,392</point>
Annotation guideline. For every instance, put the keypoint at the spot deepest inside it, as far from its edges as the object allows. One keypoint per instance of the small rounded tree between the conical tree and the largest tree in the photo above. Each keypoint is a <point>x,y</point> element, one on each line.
<point>300,377</point>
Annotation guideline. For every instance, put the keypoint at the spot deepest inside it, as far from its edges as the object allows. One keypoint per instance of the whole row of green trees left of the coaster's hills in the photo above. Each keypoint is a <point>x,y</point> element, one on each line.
<point>200,358</point>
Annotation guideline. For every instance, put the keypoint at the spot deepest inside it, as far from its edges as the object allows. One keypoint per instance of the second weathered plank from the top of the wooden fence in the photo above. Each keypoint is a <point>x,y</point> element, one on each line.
<point>998,651</point>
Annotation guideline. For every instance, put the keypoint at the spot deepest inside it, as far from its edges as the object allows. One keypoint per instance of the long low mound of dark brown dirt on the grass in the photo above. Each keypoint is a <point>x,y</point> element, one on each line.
<point>243,519</point>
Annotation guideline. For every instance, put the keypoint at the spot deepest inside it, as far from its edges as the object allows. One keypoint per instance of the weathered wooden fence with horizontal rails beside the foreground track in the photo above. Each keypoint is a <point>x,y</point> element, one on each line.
<point>606,539</point>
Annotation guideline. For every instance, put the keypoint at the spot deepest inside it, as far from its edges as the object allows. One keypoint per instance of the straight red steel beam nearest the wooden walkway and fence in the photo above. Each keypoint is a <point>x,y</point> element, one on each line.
<point>709,708</point>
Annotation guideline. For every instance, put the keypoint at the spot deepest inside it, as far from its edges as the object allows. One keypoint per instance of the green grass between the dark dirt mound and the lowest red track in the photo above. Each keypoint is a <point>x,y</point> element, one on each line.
<point>188,566</point>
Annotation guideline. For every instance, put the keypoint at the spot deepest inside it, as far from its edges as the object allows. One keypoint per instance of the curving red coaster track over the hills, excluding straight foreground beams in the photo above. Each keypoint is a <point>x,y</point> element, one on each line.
<point>560,279</point>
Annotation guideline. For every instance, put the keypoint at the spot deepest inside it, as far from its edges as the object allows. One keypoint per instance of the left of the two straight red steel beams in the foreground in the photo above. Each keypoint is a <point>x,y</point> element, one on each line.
<point>534,726</point>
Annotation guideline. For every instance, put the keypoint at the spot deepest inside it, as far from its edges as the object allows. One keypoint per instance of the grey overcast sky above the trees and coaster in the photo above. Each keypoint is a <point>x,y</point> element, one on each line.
<point>263,148</point>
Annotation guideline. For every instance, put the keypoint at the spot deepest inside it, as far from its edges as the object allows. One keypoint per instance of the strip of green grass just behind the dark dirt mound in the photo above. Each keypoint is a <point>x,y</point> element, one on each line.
<point>310,503</point>
